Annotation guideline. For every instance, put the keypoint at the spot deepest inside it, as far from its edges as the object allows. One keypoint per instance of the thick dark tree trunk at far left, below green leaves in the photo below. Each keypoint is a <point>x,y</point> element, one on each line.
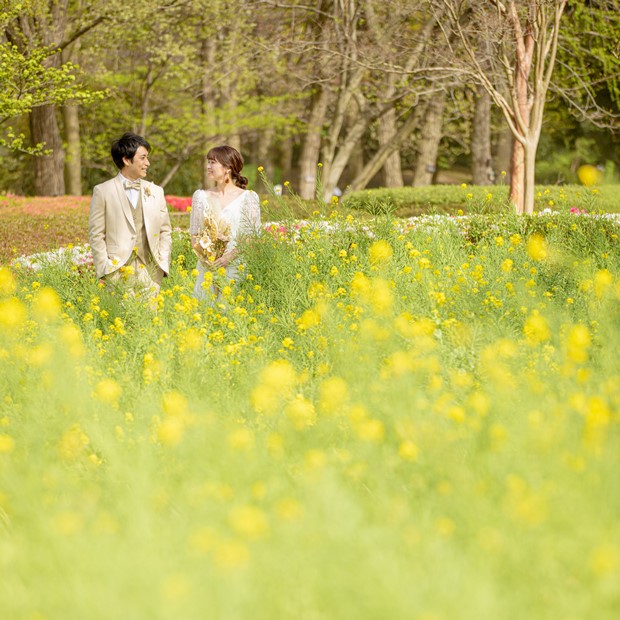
<point>48,169</point>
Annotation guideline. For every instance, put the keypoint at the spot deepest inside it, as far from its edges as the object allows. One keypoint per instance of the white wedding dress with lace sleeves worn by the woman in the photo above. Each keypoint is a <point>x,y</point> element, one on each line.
<point>242,215</point>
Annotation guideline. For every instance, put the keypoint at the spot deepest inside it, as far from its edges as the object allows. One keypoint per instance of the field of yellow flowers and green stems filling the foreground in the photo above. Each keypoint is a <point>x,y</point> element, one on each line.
<point>414,419</point>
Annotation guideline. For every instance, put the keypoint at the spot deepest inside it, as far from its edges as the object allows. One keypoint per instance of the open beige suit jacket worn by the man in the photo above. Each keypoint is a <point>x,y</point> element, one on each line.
<point>111,228</point>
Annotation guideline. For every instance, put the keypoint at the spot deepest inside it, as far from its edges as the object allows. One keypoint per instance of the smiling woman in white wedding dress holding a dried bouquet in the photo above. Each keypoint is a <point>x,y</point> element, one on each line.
<point>230,204</point>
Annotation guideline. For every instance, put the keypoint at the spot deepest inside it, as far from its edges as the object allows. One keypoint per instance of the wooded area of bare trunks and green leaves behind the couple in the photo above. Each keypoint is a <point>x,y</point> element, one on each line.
<point>378,93</point>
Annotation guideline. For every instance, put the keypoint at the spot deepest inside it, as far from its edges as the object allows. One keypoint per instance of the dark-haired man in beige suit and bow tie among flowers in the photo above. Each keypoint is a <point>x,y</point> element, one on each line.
<point>129,227</point>
